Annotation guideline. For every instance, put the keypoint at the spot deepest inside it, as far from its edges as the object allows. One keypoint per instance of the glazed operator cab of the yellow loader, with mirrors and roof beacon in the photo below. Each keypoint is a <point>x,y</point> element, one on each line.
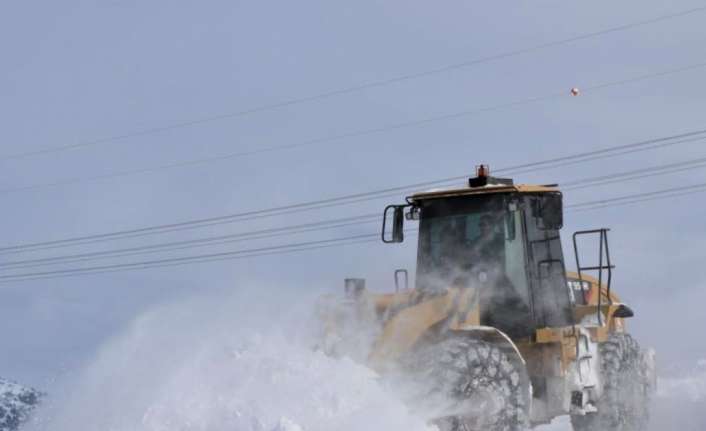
<point>500,239</point>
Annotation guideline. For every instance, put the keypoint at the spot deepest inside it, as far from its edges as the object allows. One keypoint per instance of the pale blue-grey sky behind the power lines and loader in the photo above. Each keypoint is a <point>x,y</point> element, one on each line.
<point>77,71</point>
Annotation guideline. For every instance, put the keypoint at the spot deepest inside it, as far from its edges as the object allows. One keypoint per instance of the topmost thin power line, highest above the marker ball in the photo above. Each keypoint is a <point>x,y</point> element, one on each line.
<point>357,88</point>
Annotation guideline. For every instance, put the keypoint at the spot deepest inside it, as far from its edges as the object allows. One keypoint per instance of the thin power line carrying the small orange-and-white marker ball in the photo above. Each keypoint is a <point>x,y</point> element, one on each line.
<point>352,134</point>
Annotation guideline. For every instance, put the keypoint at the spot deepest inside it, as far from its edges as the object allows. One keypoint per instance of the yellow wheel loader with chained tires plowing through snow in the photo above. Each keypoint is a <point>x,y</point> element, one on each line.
<point>495,333</point>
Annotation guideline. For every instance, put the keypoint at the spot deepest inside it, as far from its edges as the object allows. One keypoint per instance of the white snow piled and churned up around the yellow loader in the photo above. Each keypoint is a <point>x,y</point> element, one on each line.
<point>235,366</point>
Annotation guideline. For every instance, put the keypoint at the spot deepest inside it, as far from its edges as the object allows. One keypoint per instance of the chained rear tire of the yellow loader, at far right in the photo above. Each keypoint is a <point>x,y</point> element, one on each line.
<point>624,405</point>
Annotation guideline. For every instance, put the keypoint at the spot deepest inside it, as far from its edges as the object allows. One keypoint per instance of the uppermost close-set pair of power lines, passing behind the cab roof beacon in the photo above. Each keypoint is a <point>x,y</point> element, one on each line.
<point>356,197</point>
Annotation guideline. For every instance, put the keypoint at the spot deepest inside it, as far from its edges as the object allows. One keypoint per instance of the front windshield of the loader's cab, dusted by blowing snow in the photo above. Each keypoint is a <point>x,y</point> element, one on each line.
<point>464,242</point>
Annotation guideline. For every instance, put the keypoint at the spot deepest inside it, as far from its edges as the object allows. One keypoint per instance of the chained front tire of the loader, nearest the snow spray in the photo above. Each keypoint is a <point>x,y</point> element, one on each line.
<point>473,385</point>
